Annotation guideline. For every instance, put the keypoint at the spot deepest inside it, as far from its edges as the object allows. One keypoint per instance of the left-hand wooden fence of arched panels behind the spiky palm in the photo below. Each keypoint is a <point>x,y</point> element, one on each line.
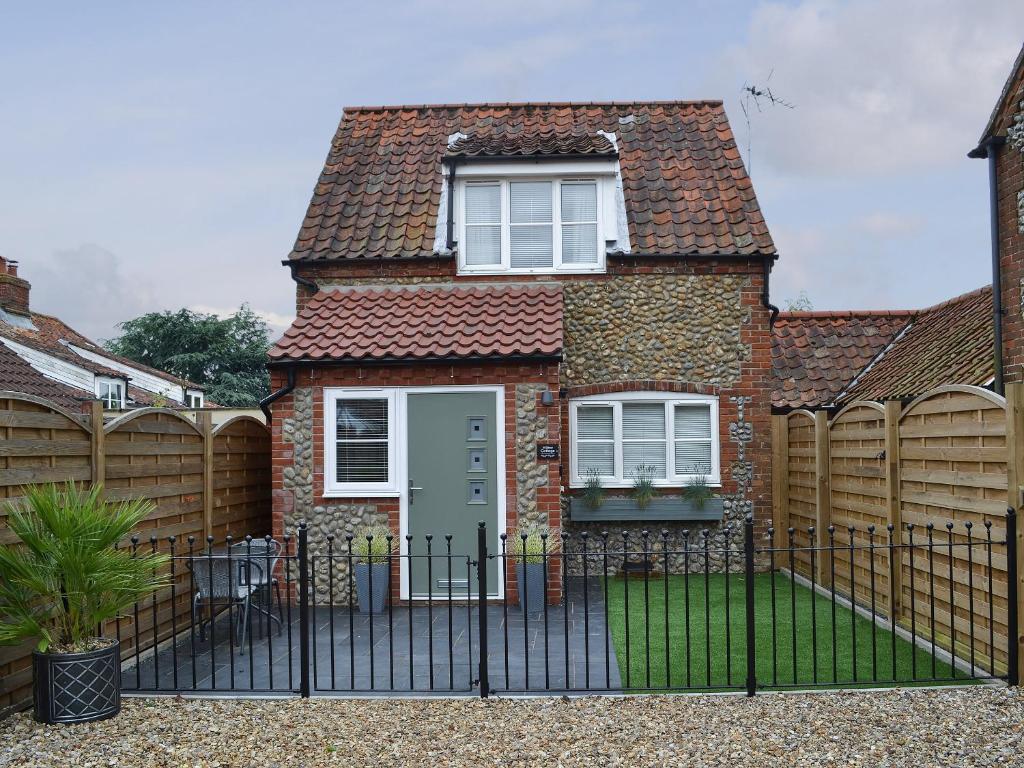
<point>154,454</point>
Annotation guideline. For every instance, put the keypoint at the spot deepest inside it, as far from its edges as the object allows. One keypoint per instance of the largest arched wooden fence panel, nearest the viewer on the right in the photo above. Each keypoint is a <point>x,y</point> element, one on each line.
<point>954,468</point>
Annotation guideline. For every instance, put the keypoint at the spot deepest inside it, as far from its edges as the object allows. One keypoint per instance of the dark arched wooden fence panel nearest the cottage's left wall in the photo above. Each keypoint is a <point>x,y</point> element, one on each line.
<point>241,479</point>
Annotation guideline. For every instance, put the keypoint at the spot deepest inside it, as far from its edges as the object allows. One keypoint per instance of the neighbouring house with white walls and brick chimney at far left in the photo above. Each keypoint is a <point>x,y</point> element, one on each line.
<point>42,357</point>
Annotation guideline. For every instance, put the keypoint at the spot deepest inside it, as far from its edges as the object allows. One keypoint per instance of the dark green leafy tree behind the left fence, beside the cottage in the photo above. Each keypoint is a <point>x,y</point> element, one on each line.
<point>226,356</point>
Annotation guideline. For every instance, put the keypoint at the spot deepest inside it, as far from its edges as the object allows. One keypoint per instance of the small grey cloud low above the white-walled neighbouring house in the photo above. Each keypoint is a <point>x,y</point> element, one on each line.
<point>90,288</point>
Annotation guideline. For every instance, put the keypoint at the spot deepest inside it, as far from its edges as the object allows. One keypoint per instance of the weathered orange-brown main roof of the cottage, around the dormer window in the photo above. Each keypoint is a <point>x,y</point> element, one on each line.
<point>686,188</point>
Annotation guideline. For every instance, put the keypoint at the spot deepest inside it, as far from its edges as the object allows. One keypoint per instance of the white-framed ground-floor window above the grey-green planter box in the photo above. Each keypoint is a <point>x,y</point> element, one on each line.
<point>675,437</point>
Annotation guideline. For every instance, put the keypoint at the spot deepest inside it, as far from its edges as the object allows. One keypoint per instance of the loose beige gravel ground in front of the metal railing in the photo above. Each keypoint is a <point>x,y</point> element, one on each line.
<point>952,728</point>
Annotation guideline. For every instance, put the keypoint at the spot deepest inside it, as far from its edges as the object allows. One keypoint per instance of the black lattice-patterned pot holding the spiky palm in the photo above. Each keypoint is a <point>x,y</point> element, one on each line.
<point>77,688</point>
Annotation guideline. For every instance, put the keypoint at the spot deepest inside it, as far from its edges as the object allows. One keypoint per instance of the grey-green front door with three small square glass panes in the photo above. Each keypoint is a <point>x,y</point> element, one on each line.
<point>453,485</point>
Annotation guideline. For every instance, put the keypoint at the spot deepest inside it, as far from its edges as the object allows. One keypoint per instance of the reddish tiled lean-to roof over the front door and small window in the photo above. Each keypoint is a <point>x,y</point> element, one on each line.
<point>426,323</point>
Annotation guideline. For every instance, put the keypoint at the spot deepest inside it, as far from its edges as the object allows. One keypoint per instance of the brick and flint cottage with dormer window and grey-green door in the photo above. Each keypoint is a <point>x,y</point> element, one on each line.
<point>497,303</point>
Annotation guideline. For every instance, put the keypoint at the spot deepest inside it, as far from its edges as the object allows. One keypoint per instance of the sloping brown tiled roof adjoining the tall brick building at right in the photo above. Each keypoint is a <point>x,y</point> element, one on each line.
<point>950,344</point>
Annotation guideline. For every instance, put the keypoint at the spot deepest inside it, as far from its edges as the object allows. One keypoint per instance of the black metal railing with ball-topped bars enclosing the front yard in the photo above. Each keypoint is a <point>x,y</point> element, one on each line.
<point>702,611</point>
